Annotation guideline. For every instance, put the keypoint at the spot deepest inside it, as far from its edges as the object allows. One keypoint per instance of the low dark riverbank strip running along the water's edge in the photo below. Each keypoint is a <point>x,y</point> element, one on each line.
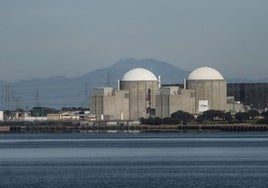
<point>115,128</point>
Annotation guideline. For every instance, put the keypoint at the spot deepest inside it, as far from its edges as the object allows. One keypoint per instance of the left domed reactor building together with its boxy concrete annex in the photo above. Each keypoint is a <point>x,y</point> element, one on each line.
<point>134,98</point>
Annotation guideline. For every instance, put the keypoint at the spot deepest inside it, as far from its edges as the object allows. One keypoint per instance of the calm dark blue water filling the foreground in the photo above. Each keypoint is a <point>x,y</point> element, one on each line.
<point>134,160</point>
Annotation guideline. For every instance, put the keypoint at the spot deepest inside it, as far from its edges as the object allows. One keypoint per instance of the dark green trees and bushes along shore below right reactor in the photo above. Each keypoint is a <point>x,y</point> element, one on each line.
<point>209,117</point>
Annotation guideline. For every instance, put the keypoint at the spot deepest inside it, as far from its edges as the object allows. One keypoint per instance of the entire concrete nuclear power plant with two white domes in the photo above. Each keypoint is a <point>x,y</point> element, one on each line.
<point>140,94</point>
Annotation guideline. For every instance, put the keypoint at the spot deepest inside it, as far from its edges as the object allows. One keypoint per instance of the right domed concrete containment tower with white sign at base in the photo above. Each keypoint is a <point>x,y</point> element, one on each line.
<point>210,89</point>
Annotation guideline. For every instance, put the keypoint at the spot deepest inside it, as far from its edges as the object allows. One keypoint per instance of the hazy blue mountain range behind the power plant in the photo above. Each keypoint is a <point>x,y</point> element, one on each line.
<point>58,92</point>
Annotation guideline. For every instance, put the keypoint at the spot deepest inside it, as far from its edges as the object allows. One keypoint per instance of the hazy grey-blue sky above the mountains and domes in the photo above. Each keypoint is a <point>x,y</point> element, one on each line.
<point>40,39</point>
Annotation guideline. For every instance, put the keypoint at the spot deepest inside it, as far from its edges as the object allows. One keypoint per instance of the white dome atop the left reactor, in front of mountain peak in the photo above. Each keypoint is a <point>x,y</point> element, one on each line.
<point>139,74</point>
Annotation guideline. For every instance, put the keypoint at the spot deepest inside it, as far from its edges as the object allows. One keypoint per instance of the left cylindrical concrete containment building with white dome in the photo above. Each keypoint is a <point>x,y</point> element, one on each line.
<point>142,86</point>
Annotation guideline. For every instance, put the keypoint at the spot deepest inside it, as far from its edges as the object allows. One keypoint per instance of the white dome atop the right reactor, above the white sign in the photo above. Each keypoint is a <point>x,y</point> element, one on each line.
<point>205,73</point>
